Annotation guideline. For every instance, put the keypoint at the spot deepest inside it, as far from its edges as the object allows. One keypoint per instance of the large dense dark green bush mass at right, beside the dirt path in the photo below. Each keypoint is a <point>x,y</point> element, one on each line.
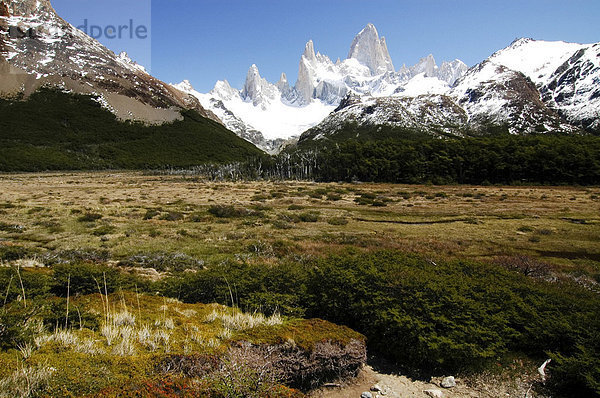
<point>435,317</point>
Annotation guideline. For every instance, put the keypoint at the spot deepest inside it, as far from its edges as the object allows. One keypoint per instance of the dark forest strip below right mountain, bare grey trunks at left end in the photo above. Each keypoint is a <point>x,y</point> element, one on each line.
<point>505,159</point>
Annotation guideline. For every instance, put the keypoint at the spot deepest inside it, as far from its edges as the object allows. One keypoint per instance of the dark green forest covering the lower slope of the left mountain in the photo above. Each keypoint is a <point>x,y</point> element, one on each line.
<point>54,130</point>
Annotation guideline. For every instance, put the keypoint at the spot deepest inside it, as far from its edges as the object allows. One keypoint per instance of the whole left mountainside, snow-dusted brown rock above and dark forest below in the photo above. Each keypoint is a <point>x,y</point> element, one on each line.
<point>67,102</point>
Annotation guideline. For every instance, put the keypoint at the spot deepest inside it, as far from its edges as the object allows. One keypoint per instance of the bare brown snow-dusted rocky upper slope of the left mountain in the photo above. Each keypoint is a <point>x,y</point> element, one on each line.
<point>40,48</point>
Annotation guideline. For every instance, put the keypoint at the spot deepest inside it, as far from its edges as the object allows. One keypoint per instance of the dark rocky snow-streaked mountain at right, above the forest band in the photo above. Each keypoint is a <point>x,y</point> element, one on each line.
<point>530,86</point>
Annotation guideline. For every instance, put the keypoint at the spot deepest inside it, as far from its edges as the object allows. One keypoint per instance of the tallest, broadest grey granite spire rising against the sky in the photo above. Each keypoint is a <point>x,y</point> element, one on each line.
<point>371,51</point>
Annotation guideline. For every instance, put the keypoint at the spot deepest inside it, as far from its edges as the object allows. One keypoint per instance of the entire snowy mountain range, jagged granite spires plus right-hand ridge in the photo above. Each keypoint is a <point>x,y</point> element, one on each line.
<point>530,86</point>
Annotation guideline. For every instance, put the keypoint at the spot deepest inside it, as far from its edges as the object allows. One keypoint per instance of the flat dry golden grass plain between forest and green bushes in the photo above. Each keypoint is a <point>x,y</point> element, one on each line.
<point>561,225</point>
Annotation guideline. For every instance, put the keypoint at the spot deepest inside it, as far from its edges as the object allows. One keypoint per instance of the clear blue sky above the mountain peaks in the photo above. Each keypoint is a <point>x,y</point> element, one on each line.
<point>208,40</point>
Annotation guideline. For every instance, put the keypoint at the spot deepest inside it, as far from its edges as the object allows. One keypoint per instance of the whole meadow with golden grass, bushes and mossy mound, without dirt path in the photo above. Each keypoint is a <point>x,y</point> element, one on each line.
<point>456,277</point>
